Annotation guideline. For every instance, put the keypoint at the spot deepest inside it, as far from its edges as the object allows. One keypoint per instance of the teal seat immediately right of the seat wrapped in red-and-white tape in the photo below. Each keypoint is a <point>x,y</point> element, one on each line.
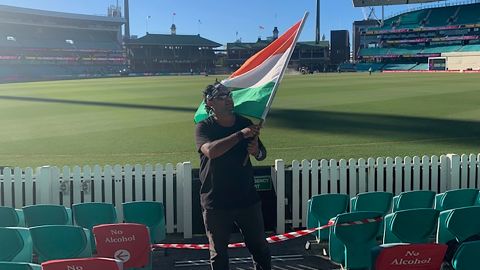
<point>410,226</point>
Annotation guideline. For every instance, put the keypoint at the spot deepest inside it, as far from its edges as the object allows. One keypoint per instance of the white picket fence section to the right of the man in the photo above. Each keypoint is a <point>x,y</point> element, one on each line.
<point>353,176</point>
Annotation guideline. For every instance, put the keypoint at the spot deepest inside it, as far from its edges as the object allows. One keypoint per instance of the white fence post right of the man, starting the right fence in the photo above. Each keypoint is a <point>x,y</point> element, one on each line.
<point>280,188</point>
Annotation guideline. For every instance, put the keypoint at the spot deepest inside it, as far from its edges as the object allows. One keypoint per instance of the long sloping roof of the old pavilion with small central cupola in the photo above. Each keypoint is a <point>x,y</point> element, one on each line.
<point>168,39</point>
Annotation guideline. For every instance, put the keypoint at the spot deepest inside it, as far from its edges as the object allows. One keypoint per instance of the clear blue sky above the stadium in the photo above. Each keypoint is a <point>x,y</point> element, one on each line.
<point>221,21</point>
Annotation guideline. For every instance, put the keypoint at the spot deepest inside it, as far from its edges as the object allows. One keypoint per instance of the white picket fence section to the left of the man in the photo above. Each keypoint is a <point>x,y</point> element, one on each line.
<point>117,184</point>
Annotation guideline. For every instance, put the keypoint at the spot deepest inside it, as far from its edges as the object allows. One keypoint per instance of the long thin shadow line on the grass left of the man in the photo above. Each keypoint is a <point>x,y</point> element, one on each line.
<point>100,103</point>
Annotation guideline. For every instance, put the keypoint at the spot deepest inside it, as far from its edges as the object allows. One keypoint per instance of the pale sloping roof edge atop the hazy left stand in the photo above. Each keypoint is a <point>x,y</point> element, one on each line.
<point>63,15</point>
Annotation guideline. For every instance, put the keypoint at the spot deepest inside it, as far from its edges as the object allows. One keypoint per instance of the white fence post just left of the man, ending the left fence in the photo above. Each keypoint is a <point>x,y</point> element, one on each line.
<point>187,200</point>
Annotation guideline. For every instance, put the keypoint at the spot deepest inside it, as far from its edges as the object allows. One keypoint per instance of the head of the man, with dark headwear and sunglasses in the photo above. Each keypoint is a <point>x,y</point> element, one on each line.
<point>218,99</point>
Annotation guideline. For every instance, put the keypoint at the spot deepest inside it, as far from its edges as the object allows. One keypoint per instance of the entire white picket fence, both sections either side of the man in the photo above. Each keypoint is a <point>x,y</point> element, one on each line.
<point>294,184</point>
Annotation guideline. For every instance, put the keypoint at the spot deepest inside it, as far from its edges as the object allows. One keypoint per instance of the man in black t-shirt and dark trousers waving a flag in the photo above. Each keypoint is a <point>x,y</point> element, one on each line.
<point>225,141</point>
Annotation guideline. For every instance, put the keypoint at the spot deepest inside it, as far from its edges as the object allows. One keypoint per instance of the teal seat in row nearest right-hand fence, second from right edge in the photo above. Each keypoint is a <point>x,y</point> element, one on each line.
<point>413,199</point>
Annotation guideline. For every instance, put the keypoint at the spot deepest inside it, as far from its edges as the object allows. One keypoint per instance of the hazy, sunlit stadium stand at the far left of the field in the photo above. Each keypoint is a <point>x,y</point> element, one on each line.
<point>37,45</point>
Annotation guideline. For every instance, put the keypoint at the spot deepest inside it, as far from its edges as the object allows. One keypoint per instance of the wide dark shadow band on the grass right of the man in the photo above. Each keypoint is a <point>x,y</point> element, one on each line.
<point>377,125</point>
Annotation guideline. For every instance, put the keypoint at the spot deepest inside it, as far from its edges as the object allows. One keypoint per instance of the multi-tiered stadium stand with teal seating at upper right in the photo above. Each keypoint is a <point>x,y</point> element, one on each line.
<point>407,41</point>
